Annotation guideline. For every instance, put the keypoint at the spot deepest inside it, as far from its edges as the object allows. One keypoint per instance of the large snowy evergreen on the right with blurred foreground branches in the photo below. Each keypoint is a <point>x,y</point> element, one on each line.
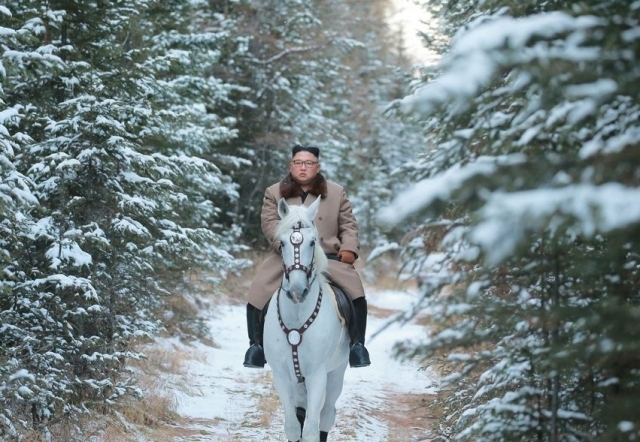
<point>533,174</point>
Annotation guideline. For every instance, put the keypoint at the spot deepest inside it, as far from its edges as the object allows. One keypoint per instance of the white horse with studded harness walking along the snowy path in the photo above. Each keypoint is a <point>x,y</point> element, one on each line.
<point>305,341</point>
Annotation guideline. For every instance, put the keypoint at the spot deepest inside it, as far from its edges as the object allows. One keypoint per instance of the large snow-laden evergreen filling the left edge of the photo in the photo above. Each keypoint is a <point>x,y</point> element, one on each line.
<point>112,188</point>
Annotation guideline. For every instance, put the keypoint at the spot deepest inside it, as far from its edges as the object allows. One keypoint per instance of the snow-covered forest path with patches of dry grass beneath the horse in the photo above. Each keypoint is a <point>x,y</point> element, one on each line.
<point>224,401</point>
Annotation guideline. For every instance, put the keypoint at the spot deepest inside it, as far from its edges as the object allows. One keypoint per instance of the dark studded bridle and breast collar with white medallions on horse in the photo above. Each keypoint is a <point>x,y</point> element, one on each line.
<point>294,336</point>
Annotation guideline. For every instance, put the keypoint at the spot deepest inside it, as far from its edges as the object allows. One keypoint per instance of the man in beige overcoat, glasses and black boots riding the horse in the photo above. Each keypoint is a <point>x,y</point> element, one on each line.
<point>338,231</point>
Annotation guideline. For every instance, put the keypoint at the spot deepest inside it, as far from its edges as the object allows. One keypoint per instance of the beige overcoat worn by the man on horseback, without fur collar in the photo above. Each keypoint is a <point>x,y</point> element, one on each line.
<point>337,230</point>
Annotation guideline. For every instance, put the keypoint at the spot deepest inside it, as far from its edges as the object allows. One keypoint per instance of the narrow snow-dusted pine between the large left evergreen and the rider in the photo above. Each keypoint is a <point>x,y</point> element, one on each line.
<point>198,103</point>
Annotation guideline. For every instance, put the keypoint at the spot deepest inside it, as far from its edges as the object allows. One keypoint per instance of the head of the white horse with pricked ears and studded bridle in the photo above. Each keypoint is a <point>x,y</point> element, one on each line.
<point>303,262</point>
